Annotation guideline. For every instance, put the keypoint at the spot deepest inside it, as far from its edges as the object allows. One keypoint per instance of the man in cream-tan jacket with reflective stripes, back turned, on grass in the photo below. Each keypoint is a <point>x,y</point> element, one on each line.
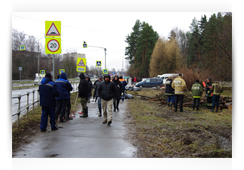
<point>180,86</point>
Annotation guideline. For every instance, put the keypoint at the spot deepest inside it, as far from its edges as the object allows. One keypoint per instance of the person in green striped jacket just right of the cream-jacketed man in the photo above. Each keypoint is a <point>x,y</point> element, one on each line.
<point>196,90</point>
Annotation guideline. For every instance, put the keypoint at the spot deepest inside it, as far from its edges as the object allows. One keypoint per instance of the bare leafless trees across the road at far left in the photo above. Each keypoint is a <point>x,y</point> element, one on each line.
<point>28,59</point>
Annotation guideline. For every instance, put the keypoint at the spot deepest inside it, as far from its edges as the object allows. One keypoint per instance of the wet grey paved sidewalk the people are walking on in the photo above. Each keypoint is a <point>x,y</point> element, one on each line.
<point>84,138</point>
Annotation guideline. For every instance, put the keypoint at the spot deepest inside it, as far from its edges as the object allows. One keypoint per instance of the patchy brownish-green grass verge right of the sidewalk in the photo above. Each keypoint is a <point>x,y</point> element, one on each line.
<point>164,133</point>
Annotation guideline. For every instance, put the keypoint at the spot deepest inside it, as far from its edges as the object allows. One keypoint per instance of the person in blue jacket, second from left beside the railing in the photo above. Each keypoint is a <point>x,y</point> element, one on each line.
<point>64,87</point>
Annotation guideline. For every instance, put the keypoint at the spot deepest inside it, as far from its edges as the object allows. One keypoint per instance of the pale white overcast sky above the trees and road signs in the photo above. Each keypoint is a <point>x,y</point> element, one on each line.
<point>106,29</point>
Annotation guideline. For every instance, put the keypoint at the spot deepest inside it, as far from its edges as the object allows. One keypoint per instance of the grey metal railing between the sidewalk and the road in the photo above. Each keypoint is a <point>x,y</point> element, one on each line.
<point>73,84</point>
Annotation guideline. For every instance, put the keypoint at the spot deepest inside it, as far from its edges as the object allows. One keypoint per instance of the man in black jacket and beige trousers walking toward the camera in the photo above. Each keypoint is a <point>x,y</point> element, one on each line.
<point>107,91</point>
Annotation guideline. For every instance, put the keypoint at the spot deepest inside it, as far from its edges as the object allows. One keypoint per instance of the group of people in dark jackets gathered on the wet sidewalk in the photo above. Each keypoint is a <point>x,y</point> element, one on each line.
<point>55,97</point>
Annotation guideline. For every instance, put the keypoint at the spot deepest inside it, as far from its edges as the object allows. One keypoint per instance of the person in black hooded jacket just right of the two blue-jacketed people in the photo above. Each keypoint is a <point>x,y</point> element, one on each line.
<point>83,94</point>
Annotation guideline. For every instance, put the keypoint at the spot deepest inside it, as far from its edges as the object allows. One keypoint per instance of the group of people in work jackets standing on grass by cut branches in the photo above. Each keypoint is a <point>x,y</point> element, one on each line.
<point>175,90</point>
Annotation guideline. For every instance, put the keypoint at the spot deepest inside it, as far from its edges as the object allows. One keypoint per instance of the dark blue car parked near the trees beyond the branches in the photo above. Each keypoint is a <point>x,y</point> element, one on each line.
<point>150,82</point>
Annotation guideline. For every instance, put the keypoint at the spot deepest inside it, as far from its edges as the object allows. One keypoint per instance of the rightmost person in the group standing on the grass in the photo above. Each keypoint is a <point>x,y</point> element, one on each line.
<point>216,89</point>
